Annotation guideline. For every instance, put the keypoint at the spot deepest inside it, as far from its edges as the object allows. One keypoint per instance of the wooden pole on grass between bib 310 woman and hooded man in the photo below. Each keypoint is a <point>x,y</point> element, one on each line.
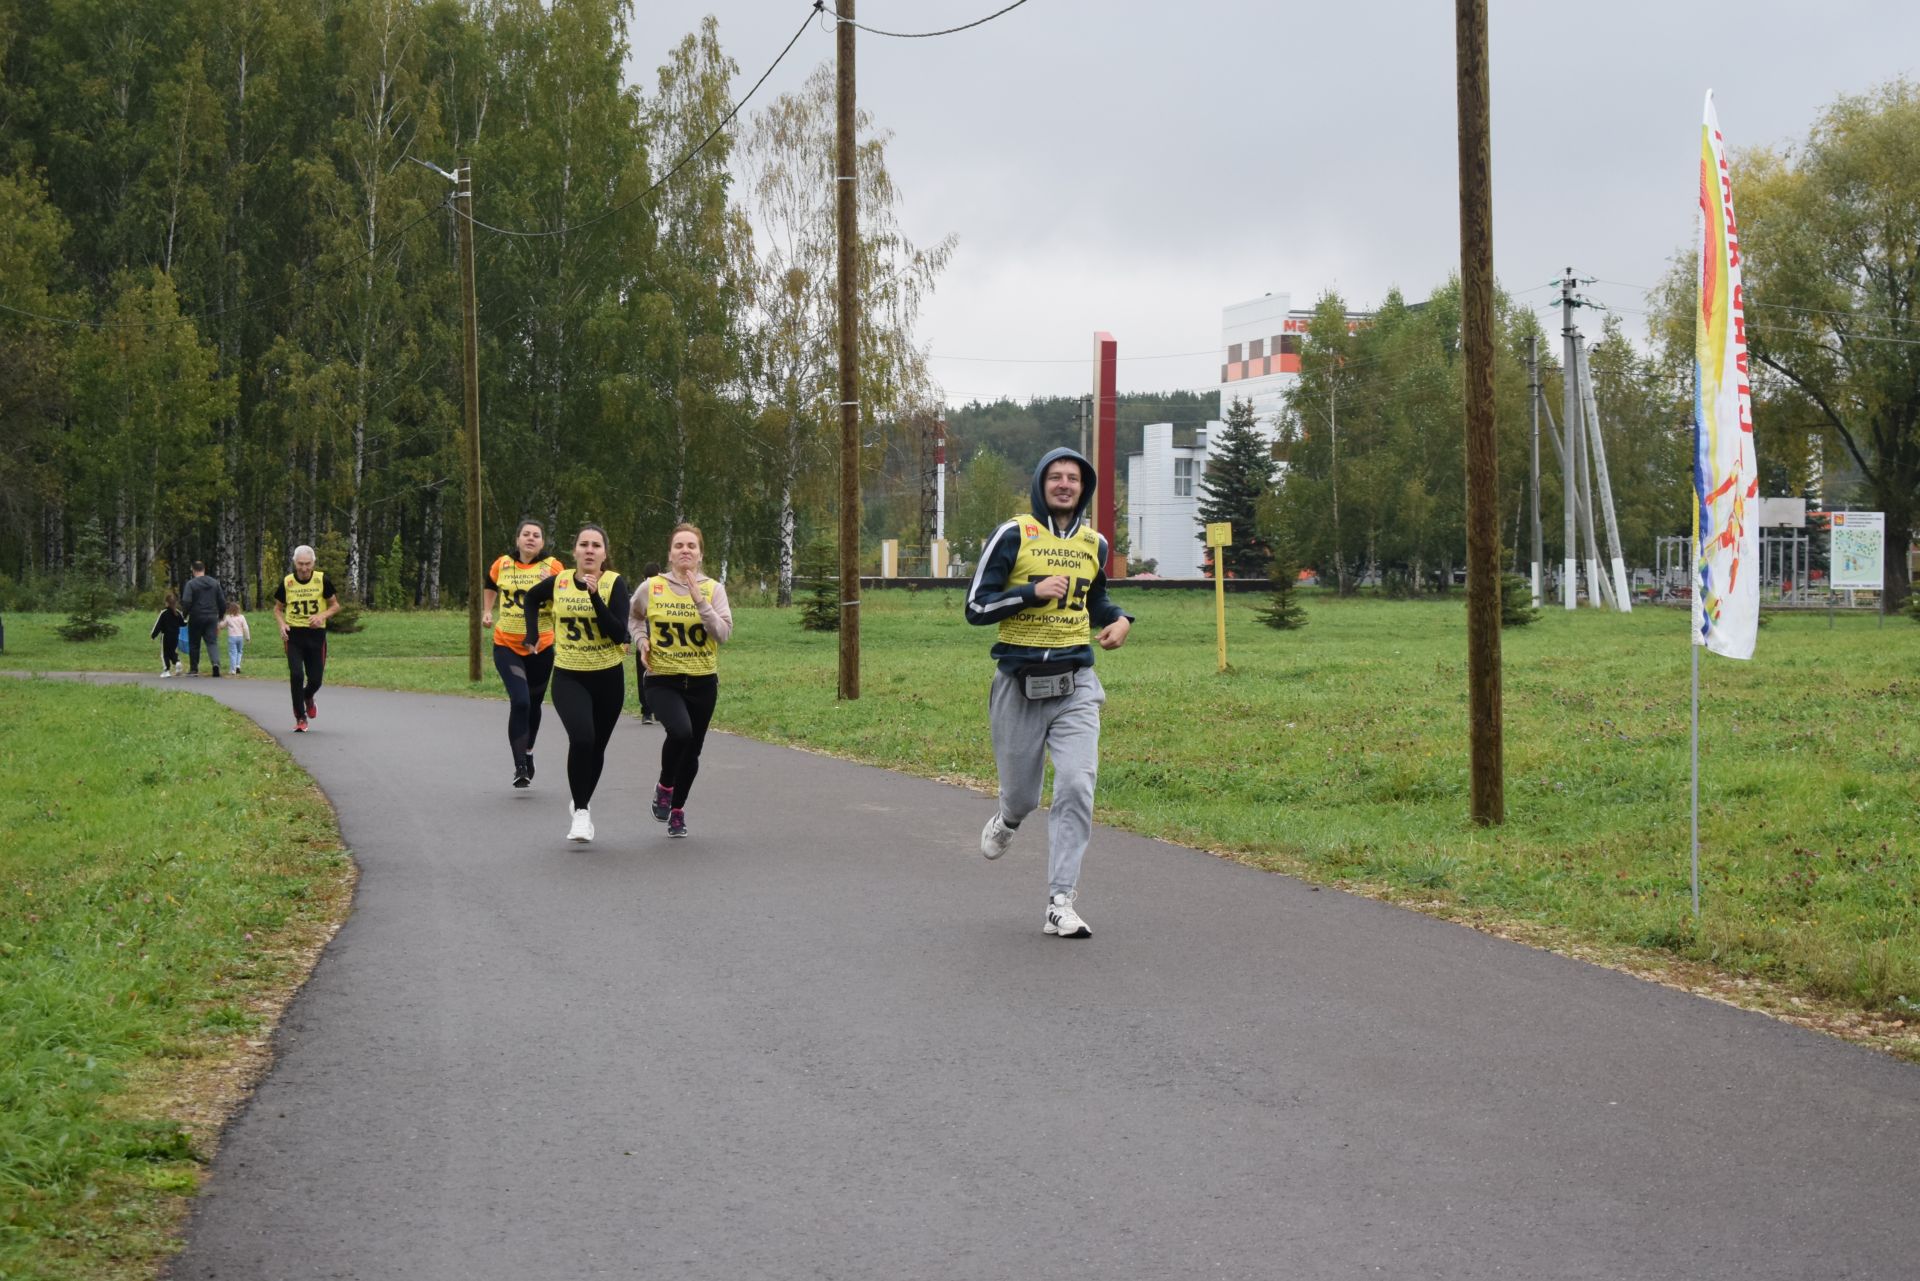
<point>848,193</point>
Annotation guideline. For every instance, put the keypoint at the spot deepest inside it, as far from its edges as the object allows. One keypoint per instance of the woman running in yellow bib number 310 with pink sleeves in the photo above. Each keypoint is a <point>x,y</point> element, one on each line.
<point>681,619</point>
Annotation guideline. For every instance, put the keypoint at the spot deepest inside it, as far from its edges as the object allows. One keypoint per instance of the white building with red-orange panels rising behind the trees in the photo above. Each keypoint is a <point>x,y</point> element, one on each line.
<point>1260,349</point>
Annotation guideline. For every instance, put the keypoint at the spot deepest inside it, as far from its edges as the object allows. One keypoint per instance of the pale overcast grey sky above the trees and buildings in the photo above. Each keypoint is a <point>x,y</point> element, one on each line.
<point>1134,168</point>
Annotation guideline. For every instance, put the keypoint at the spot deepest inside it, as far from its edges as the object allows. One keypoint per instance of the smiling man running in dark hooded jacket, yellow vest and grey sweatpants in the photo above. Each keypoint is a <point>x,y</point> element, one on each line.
<point>1042,583</point>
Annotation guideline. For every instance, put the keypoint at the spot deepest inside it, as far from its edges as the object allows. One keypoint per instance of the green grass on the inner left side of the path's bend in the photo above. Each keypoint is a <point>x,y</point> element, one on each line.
<point>164,873</point>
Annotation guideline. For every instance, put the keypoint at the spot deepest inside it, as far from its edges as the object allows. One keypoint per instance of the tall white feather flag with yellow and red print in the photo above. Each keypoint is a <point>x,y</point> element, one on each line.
<point>1727,558</point>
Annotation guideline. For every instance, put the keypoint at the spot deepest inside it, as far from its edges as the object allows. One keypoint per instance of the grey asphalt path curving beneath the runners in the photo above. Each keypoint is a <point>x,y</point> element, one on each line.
<point>825,1038</point>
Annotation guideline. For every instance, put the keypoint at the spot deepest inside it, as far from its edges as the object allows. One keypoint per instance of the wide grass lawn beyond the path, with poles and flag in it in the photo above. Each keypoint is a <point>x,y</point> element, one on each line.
<point>1339,754</point>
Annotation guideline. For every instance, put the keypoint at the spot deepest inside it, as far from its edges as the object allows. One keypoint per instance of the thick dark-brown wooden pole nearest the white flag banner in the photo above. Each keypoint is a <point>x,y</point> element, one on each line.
<point>1483,458</point>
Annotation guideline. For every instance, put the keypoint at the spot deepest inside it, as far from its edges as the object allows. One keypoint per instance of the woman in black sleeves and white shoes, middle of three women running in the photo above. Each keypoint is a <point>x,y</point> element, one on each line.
<point>590,604</point>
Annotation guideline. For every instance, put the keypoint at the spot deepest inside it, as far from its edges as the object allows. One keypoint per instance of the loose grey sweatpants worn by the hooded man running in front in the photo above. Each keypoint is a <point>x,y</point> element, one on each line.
<point>1024,733</point>
